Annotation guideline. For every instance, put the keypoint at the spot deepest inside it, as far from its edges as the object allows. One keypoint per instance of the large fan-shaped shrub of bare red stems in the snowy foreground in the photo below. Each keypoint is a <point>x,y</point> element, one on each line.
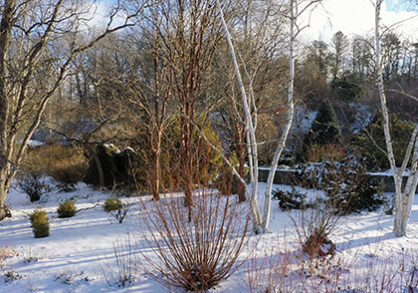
<point>199,254</point>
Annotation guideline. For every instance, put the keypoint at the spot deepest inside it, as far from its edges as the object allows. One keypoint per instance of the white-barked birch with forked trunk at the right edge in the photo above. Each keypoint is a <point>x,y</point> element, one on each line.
<point>404,196</point>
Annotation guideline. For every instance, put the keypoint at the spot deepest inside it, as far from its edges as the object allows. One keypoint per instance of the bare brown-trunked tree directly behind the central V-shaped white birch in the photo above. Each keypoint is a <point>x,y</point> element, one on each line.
<point>259,33</point>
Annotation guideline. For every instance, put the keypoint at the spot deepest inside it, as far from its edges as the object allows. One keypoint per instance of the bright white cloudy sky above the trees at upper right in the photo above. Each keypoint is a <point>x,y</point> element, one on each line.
<point>356,17</point>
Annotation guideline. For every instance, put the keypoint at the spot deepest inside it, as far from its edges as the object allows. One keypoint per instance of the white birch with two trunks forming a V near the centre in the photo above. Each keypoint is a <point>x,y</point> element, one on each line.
<point>260,223</point>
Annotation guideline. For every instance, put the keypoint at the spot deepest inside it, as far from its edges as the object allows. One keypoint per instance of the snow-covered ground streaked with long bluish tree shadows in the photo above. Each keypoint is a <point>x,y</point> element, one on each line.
<point>79,255</point>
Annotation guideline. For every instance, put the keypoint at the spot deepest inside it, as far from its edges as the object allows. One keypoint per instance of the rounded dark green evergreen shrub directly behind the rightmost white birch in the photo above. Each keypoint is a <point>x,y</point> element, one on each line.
<point>368,140</point>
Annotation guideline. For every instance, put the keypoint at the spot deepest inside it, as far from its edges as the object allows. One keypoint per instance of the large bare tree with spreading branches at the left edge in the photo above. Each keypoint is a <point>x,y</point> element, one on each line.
<point>28,30</point>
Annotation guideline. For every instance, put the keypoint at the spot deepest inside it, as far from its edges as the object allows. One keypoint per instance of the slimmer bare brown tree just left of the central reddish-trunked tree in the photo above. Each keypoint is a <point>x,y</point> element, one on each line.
<point>150,93</point>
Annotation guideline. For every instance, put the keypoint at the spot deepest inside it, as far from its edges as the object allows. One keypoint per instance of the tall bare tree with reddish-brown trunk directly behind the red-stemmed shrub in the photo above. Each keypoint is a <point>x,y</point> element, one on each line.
<point>188,33</point>
